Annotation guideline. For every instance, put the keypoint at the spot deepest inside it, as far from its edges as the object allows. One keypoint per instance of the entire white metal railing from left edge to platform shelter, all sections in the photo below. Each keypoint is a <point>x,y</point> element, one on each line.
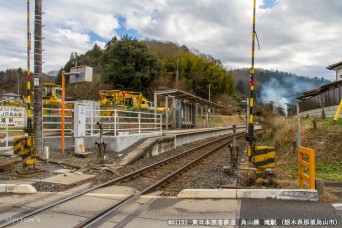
<point>118,123</point>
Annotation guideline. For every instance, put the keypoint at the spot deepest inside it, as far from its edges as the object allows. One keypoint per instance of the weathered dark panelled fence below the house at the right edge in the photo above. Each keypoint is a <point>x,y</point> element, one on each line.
<point>328,98</point>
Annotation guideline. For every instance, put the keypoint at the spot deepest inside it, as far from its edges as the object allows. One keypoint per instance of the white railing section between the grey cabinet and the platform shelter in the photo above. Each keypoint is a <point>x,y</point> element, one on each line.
<point>119,122</point>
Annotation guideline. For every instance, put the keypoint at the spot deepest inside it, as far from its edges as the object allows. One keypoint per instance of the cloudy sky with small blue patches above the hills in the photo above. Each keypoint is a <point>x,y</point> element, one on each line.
<point>298,36</point>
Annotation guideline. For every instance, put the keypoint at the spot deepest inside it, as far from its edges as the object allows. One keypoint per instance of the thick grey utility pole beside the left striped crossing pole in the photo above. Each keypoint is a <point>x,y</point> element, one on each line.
<point>38,106</point>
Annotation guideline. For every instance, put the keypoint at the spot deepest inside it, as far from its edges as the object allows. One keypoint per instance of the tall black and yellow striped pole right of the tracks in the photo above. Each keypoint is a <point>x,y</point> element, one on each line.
<point>250,133</point>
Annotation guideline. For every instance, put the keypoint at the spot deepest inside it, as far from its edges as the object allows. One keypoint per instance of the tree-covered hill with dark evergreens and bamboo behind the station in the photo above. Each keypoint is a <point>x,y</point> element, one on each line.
<point>146,66</point>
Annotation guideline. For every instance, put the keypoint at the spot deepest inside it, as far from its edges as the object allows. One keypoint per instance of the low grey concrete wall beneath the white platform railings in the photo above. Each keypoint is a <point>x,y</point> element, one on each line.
<point>114,144</point>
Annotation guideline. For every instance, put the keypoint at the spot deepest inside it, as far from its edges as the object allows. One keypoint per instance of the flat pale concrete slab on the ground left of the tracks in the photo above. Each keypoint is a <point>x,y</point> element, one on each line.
<point>68,178</point>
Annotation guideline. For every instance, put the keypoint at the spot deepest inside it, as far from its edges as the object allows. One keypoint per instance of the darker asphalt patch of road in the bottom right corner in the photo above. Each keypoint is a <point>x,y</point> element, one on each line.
<point>288,213</point>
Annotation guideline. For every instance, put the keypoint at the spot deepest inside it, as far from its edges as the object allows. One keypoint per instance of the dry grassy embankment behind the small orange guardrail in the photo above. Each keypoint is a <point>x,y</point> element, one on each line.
<point>325,140</point>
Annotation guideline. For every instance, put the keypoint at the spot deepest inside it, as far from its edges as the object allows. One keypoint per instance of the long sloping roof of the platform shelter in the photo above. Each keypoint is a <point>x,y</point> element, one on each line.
<point>178,94</point>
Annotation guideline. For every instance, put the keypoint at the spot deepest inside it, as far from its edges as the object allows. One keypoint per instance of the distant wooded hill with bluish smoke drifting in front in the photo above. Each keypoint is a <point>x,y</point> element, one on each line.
<point>278,87</point>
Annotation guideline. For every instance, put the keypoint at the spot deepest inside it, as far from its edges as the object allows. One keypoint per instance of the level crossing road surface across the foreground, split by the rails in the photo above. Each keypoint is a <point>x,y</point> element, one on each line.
<point>156,211</point>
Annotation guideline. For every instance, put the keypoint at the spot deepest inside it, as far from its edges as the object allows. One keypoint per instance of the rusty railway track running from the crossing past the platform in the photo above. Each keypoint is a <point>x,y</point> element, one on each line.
<point>146,180</point>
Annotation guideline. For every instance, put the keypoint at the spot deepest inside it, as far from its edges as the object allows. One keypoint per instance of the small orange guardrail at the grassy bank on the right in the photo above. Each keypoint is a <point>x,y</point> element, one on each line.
<point>310,165</point>
